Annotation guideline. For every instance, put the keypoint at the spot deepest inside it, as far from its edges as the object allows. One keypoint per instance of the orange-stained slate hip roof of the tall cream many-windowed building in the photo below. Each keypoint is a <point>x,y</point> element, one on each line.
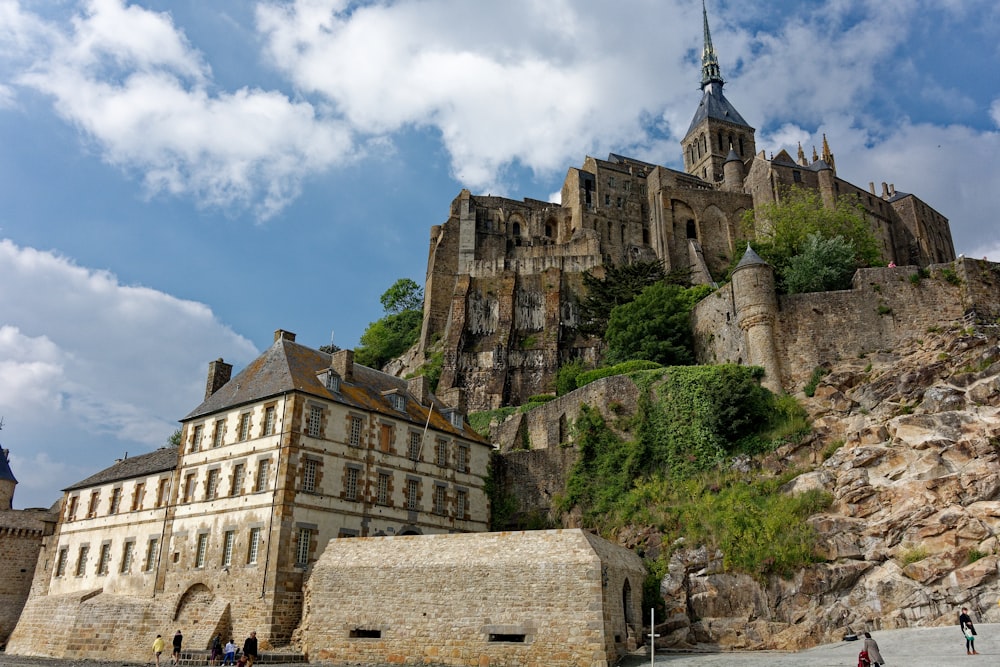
<point>287,366</point>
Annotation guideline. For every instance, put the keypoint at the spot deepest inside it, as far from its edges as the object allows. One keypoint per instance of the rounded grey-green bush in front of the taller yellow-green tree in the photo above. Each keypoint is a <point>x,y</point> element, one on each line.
<point>823,264</point>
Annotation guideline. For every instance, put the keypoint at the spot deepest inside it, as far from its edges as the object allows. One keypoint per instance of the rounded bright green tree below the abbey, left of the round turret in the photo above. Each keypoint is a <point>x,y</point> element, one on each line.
<point>655,326</point>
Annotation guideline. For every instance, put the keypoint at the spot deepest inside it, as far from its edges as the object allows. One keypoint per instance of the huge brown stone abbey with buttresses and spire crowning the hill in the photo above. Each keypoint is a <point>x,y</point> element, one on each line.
<point>504,277</point>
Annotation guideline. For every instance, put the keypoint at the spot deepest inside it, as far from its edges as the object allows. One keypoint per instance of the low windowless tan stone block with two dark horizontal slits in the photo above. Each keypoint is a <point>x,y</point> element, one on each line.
<point>552,598</point>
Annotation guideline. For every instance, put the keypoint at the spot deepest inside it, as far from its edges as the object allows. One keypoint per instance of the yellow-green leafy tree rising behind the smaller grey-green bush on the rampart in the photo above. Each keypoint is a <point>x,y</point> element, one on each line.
<point>788,224</point>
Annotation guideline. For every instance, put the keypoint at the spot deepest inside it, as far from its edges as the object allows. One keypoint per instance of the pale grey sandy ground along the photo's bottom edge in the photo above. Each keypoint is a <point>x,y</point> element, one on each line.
<point>912,647</point>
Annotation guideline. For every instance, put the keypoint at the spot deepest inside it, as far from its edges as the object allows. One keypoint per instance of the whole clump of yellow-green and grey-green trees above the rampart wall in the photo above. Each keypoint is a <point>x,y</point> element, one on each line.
<point>809,243</point>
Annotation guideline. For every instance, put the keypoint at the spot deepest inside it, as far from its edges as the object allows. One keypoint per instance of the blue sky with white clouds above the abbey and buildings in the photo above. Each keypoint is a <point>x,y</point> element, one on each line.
<point>180,178</point>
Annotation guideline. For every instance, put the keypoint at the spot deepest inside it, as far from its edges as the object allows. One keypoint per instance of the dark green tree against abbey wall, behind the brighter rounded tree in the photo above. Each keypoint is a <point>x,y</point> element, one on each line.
<point>620,284</point>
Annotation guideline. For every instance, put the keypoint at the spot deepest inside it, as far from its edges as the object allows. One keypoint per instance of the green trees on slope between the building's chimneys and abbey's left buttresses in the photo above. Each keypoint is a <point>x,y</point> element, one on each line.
<point>392,335</point>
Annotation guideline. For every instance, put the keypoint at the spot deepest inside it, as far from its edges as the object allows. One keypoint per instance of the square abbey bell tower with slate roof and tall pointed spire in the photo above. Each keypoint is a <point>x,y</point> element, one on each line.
<point>717,127</point>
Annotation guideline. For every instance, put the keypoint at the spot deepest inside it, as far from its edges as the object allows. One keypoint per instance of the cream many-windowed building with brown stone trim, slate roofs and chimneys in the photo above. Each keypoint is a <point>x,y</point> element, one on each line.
<point>218,534</point>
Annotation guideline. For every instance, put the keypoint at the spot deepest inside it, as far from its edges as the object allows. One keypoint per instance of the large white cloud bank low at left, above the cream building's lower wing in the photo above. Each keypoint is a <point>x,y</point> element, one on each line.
<point>92,367</point>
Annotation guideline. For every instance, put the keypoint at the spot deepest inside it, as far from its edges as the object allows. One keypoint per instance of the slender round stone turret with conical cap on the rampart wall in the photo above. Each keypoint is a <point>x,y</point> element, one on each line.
<point>756,310</point>
